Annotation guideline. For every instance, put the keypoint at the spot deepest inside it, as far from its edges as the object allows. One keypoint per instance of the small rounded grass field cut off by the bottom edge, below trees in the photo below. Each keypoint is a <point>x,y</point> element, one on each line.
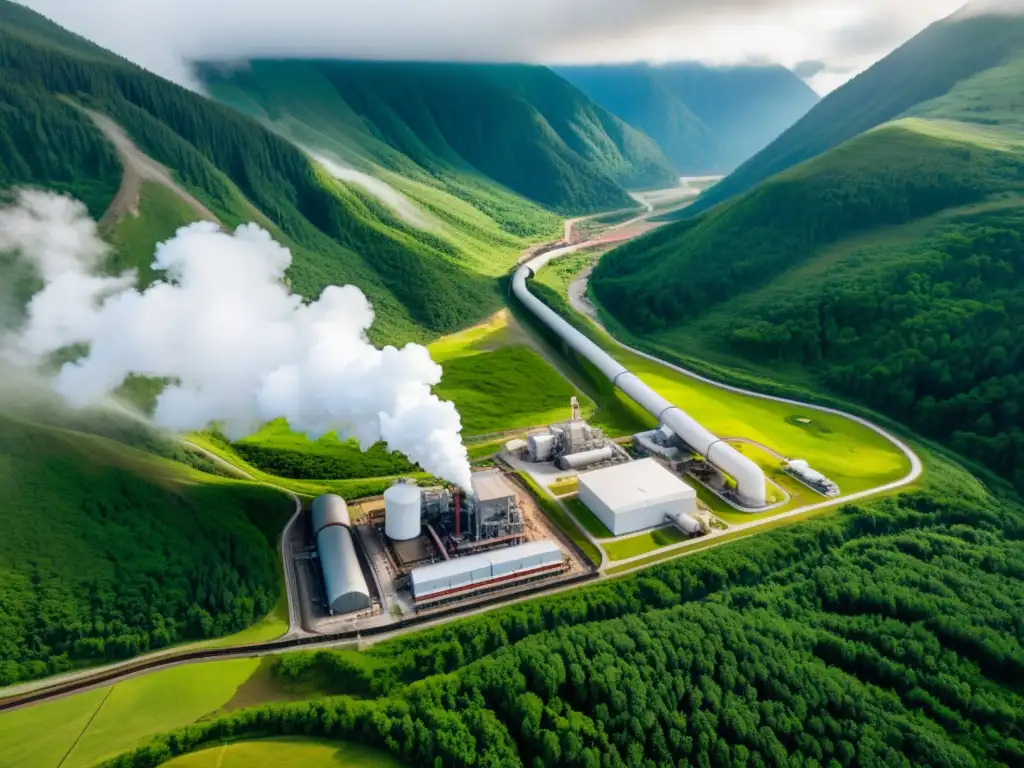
<point>278,753</point>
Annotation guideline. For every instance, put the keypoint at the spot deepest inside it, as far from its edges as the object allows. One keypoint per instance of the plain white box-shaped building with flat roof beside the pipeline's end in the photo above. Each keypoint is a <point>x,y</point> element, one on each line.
<point>636,496</point>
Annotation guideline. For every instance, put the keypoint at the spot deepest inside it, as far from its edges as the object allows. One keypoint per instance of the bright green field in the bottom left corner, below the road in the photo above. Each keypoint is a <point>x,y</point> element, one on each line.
<point>119,717</point>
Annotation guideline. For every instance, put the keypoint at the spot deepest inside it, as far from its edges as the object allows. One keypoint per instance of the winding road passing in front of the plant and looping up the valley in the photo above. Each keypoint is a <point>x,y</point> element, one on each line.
<point>56,688</point>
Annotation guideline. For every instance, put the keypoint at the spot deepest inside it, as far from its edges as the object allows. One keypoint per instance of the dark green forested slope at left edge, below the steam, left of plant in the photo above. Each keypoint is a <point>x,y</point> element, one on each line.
<point>87,578</point>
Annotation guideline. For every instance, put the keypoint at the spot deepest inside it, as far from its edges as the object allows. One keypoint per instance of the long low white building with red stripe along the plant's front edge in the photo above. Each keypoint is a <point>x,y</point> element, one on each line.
<point>463,577</point>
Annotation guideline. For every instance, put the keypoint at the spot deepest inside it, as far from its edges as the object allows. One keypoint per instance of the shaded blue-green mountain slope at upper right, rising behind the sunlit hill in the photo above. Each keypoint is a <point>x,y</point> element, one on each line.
<point>936,62</point>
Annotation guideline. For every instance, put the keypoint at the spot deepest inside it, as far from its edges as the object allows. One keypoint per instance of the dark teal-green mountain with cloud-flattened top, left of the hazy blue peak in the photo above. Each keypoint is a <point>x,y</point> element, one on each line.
<point>523,127</point>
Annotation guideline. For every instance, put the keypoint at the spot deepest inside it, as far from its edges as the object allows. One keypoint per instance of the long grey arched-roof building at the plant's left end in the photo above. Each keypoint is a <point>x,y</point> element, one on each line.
<point>344,581</point>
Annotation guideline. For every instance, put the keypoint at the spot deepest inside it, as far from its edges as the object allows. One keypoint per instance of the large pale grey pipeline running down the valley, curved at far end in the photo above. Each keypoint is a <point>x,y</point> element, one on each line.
<point>750,480</point>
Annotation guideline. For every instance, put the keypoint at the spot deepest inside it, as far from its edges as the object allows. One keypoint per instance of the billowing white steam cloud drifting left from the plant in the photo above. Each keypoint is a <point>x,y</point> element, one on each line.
<point>239,349</point>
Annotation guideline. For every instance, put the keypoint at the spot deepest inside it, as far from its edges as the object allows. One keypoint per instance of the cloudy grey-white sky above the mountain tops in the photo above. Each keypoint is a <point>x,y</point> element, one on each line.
<point>826,41</point>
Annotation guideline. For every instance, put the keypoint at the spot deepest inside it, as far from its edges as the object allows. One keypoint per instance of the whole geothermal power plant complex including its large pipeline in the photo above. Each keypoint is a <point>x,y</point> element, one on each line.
<point>420,549</point>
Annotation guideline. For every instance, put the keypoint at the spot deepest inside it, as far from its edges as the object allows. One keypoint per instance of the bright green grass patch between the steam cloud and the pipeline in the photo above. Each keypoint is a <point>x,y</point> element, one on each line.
<point>499,382</point>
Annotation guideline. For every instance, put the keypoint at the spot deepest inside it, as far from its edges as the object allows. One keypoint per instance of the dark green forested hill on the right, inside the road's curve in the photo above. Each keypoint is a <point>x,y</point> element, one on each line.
<point>890,270</point>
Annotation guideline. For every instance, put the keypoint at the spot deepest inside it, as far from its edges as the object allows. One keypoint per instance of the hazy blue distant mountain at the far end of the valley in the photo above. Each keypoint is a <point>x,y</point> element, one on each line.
<point>707,119</point>
